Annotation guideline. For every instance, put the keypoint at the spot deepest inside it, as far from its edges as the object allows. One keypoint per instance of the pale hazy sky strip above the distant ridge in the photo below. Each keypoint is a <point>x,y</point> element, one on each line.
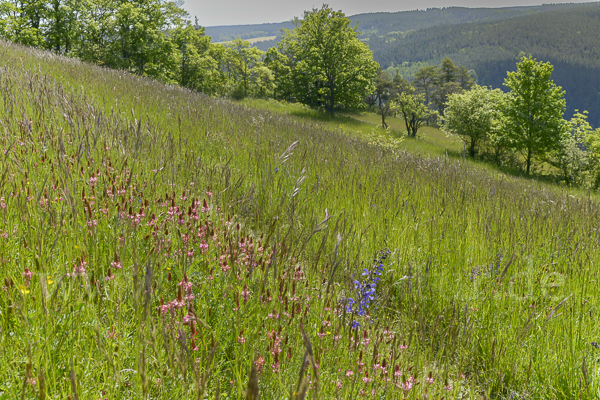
<point>240,12</point>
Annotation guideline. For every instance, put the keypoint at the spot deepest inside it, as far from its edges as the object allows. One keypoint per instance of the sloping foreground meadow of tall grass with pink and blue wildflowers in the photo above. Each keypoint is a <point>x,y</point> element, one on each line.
<point>157,243</point>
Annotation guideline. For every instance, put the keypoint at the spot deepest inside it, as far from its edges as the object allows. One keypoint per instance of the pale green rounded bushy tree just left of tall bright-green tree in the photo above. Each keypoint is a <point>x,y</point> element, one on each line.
<point>473,115</point>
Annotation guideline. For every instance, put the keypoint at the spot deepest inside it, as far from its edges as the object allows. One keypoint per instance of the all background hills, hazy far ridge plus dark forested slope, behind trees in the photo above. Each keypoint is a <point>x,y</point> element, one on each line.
<point>487,40</point>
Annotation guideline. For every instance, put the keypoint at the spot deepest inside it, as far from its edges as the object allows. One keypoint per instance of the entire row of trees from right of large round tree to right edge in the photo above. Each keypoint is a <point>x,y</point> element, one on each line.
<point>523,127</point>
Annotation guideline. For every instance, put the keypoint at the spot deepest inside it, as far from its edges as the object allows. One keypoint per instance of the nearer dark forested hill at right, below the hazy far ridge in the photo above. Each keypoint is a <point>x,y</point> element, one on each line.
<point>566,38</point>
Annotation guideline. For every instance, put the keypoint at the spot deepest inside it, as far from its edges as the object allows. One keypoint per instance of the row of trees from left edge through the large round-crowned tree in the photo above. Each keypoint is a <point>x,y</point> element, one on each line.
<point>320,63</point>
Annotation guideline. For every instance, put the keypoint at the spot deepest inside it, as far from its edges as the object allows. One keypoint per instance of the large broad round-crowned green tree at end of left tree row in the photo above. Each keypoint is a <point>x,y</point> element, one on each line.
<point>331,66</point>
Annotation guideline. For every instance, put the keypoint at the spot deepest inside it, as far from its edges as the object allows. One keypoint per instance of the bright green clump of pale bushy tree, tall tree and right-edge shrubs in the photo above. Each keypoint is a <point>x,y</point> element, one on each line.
<point>526,125</point>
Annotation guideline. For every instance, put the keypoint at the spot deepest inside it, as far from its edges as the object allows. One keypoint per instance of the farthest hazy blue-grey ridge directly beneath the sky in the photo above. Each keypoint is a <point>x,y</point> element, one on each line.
<point>385,22</point>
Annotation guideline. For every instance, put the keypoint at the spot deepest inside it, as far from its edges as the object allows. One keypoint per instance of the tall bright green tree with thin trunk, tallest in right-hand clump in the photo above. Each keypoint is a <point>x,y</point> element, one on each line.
<point>533,111</point>
